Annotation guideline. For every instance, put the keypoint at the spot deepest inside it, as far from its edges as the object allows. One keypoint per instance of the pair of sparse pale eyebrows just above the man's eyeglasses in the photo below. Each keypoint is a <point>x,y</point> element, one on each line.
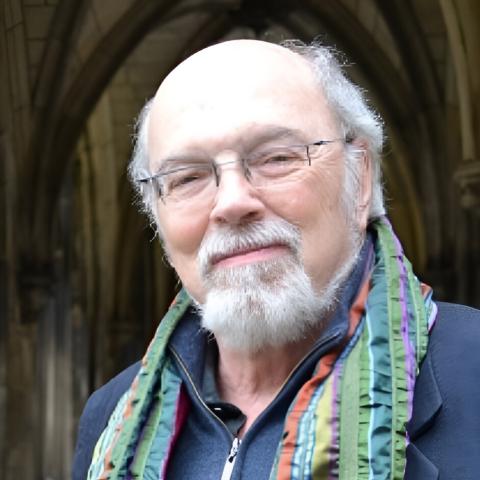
<point>265,134</point>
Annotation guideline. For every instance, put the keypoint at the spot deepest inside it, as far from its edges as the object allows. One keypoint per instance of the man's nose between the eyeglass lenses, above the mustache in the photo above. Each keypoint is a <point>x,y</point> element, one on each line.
<point>236,200</point>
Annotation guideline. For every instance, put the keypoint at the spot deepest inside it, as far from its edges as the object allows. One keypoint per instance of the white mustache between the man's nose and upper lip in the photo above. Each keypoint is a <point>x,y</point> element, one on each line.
<point>230,240</point>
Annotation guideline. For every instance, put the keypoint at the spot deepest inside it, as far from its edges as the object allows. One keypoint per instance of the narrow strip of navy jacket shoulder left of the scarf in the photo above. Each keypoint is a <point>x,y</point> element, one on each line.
<point>95,417</point>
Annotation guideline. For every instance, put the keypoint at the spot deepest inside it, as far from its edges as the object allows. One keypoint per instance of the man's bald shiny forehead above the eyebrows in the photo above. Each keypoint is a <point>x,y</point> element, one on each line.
<point>224,93</point>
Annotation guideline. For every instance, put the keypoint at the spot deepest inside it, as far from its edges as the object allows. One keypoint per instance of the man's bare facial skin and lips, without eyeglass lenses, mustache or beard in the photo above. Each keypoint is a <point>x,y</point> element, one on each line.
<point>233,100</point>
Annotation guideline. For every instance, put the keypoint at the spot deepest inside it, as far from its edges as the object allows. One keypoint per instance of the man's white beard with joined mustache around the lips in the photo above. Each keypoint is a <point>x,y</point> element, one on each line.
<point>263,304</point>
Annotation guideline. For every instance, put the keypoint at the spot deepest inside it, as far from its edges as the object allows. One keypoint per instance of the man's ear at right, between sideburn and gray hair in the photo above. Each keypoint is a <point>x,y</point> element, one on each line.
<point>365,178</point>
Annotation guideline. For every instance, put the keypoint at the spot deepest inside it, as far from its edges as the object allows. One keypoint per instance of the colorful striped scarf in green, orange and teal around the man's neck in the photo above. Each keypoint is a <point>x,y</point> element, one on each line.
<point>347,422</point>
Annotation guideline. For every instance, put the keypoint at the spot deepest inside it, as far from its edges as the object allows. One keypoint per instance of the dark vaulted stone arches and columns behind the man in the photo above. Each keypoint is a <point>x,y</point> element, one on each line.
<point>83,283</point>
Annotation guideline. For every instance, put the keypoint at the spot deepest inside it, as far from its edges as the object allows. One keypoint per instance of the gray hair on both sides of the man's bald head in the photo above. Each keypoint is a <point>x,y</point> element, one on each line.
<point>347,101</point>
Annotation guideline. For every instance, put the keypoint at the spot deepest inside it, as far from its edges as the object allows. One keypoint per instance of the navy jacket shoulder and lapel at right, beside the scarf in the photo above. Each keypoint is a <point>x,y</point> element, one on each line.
<point>445,425</point>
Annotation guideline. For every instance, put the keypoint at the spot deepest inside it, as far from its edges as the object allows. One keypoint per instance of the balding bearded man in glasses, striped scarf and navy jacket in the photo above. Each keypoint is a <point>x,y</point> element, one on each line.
<point>294,350</point>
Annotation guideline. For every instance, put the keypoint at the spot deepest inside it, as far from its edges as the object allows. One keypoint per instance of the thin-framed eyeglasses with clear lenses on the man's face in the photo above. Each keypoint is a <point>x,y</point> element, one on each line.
<point>197,180</point>
